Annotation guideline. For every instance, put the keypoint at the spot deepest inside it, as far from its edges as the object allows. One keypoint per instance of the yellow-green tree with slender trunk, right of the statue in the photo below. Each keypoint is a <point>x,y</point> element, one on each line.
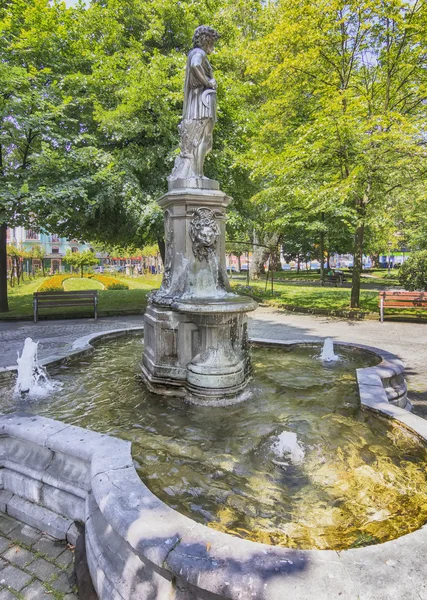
<point>341,127</point>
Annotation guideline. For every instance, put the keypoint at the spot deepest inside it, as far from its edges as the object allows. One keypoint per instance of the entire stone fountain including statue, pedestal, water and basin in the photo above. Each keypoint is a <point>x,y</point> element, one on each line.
<point>285,495</point>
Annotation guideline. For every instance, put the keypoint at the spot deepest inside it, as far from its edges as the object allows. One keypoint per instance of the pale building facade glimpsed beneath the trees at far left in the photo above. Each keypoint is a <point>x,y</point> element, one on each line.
<point>53,246</point>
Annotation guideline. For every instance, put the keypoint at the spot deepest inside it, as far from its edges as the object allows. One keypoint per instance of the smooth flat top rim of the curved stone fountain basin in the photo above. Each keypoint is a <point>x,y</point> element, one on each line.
<point>183,545</point>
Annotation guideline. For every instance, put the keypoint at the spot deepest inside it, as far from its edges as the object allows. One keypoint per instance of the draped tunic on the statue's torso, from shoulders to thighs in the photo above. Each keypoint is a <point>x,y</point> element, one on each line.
<point>199,97</point>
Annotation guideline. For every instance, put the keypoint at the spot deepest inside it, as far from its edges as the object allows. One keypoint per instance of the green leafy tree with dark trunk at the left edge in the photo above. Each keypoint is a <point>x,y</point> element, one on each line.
<point>51,172</point>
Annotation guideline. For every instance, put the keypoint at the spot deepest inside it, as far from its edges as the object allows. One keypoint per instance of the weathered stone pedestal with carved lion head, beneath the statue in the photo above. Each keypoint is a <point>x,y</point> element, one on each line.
<point>195,327</point>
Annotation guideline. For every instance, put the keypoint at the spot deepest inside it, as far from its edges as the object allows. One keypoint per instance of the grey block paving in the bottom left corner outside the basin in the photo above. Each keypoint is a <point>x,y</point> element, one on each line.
<point>34,566</point>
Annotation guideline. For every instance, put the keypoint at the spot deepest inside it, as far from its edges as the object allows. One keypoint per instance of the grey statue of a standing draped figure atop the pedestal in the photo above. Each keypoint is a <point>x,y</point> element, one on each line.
<point>199,114</point>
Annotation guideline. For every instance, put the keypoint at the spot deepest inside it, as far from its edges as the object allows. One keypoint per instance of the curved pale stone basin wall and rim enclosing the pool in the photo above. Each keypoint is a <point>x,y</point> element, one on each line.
<point>138,547</point>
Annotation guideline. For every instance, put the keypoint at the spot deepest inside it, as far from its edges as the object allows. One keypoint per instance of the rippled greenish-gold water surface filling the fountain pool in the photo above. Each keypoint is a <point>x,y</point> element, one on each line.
<point>297,464</point>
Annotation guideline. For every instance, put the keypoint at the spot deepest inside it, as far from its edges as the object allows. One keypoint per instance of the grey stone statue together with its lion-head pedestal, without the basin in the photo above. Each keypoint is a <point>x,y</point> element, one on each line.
<point>195,327</point>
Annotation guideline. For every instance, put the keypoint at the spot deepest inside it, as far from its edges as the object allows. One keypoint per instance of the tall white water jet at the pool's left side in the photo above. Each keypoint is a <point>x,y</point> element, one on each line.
<point>32,378</point>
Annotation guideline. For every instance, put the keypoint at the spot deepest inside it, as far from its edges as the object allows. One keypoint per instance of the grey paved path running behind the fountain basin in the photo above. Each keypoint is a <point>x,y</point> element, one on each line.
<point>407,340</point>
